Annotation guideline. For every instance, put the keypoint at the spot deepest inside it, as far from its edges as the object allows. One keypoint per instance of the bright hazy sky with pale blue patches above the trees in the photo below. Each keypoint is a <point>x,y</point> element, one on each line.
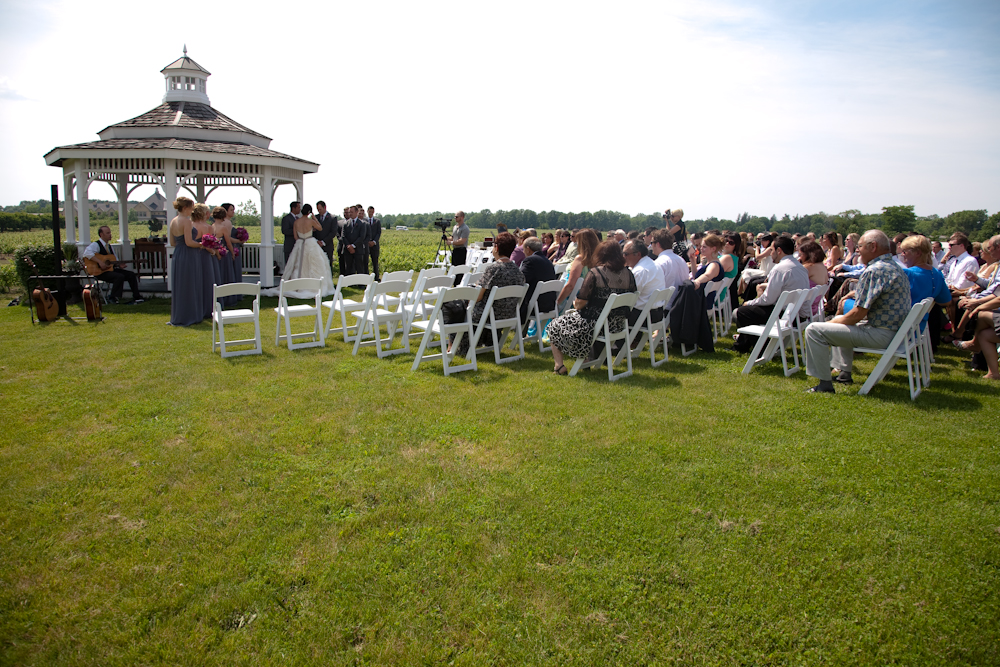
<point>717,107</point>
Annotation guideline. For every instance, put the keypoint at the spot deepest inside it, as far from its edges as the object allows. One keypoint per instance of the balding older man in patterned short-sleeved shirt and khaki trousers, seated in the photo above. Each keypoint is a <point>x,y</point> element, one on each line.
<point>882,300</point>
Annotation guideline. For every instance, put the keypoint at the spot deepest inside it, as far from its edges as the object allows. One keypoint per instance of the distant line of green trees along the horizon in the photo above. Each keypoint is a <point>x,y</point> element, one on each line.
<point>977,224</point>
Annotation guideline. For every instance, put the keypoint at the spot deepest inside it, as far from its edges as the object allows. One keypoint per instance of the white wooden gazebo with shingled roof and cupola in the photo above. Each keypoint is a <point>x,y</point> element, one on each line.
<point>182,144</point>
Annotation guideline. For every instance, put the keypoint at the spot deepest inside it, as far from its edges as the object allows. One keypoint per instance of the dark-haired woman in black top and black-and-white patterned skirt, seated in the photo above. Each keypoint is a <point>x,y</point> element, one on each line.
<point>571,334</point>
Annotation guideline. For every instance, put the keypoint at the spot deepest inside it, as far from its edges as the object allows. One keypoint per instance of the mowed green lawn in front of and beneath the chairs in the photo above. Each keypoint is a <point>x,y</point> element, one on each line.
<point>160,505</point>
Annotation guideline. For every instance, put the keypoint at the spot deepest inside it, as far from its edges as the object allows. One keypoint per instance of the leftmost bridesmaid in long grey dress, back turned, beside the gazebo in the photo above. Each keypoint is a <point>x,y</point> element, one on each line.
<point>187,299</point>
